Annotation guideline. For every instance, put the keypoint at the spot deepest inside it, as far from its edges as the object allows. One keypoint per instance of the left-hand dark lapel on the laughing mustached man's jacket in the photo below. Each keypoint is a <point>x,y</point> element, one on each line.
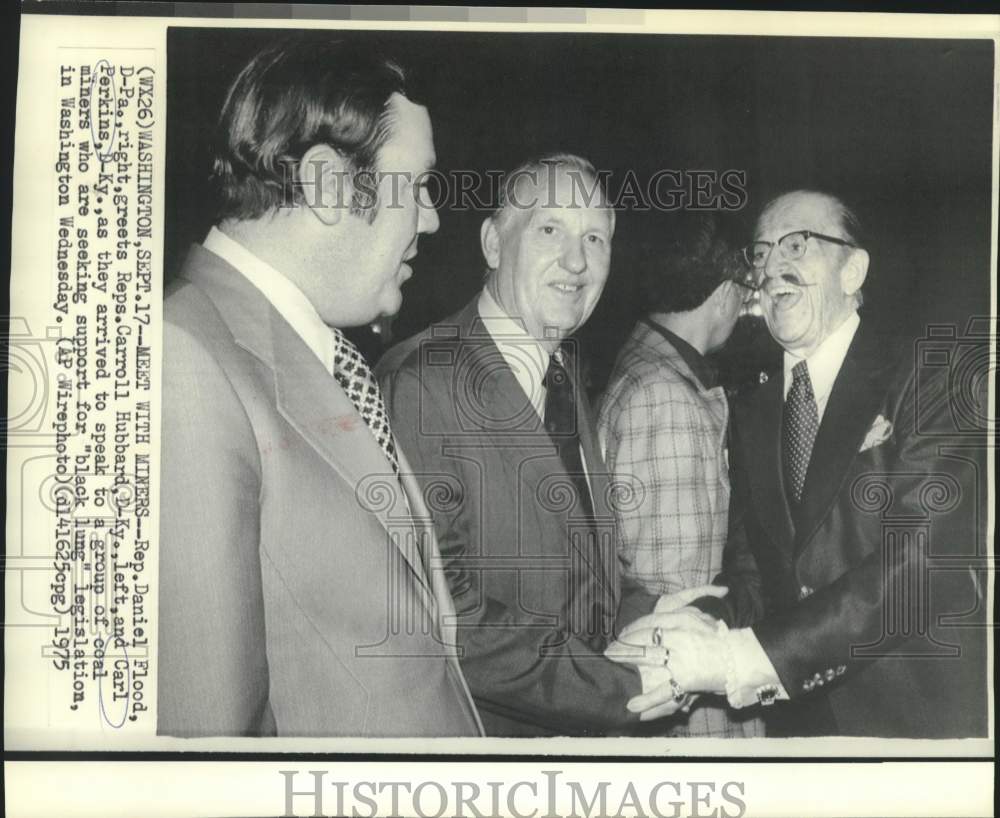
<point>761,434</point>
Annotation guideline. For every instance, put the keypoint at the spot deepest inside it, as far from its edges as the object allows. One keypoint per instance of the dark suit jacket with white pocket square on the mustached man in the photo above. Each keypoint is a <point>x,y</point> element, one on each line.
<point>867,596</point>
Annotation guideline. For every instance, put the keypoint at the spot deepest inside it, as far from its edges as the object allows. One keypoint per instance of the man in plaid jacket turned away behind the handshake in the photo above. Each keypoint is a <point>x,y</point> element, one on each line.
<point>663,426</point>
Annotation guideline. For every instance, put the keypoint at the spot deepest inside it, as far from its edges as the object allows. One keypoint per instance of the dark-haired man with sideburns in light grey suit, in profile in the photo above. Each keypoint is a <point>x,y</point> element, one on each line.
<point>295,590</point>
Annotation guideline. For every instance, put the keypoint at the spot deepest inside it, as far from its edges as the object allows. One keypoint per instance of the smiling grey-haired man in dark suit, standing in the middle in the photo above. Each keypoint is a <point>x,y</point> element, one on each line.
<point>491,407</point>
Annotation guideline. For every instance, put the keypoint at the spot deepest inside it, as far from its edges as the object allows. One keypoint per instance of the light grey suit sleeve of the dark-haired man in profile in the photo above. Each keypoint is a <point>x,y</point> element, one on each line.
<point>213,676</point>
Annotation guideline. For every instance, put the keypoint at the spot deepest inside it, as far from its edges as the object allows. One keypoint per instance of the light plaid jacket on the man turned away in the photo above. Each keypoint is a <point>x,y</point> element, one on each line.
<point>665,431</point>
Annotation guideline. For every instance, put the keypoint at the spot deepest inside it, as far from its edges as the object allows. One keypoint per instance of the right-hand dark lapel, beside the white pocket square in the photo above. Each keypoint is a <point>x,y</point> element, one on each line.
<point>853,401</point>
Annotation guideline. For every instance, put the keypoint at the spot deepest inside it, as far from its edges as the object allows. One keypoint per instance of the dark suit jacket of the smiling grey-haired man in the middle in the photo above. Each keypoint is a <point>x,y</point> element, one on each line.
<point>536,601</point>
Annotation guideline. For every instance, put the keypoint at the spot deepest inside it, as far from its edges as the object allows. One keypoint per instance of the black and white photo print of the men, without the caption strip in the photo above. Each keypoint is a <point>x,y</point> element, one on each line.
<point>574,385</point>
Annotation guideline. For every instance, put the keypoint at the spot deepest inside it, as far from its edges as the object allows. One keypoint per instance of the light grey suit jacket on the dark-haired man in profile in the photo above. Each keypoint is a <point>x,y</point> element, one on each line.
<point>293,595</point>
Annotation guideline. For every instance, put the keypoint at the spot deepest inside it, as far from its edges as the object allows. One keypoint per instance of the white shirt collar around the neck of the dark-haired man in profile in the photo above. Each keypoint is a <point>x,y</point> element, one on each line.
<point>284,296</point>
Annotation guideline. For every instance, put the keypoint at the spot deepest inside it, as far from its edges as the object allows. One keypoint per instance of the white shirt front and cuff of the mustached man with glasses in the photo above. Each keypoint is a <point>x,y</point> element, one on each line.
<point>750,669</point>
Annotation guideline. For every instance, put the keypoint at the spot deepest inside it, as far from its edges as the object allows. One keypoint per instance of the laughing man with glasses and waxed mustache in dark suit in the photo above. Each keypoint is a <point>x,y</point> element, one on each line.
<point>854,591</point>
